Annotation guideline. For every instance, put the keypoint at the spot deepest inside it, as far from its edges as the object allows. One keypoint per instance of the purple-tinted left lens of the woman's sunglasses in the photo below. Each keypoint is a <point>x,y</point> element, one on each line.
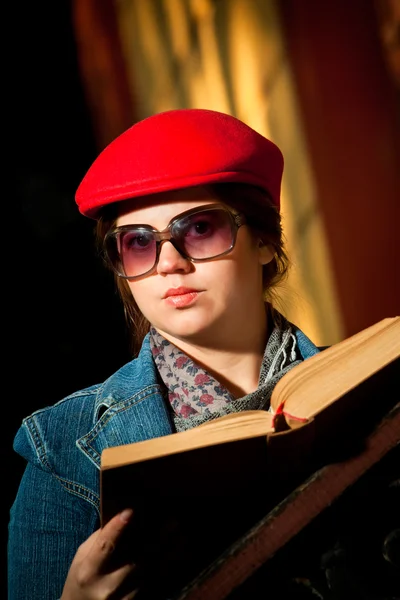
<point>137,252</point>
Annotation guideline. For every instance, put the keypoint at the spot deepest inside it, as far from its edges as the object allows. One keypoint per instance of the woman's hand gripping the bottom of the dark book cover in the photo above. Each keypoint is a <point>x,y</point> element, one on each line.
<point>92,576</point>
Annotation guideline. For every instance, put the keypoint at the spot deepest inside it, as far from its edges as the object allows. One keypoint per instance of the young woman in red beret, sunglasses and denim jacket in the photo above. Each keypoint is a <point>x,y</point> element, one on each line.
<point>187,210</point>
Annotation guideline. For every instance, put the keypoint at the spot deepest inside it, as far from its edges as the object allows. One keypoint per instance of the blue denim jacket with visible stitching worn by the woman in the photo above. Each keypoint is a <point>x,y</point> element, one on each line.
<point>57,504</point>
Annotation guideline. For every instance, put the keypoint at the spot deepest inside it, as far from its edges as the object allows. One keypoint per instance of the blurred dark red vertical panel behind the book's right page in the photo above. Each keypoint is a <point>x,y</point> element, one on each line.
<point>350,109</point>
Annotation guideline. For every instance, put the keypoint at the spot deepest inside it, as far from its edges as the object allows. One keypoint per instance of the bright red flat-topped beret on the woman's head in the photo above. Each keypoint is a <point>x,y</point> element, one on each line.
<point>178,149</point>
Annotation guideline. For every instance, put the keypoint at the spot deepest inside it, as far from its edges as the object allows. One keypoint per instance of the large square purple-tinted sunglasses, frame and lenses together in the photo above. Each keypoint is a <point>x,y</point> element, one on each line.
<point>199,234</point>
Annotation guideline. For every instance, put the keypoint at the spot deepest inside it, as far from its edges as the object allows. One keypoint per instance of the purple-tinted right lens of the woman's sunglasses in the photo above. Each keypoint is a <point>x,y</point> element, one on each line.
<point>205,234</point>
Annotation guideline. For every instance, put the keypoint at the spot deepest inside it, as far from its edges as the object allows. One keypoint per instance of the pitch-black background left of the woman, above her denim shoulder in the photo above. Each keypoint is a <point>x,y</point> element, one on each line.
<point>62,318</point>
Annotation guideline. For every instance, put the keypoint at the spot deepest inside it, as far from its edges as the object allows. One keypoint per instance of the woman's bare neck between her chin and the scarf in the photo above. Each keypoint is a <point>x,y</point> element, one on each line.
<point>237,363</point>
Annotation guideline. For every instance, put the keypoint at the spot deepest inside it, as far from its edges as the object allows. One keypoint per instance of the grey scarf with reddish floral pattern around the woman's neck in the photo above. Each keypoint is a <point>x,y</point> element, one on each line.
<point>196,396</point>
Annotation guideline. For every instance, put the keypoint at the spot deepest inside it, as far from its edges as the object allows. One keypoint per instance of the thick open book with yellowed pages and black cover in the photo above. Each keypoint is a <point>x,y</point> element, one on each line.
<point>195,492</point>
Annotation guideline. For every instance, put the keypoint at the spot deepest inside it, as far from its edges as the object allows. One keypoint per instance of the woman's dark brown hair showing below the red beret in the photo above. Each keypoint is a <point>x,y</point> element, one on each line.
<point>263,218</point>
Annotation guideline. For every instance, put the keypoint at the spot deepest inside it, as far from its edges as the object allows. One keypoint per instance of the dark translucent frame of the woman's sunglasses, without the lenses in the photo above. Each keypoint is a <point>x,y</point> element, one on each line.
<point>112,254</point>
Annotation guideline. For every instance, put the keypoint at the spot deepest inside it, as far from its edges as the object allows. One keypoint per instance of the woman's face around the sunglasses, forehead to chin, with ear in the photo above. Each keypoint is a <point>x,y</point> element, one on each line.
<point>197,302</point>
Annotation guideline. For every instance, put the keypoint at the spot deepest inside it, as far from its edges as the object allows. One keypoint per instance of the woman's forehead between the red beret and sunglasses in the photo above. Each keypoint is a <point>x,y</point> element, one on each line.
<point>158,209</point>
